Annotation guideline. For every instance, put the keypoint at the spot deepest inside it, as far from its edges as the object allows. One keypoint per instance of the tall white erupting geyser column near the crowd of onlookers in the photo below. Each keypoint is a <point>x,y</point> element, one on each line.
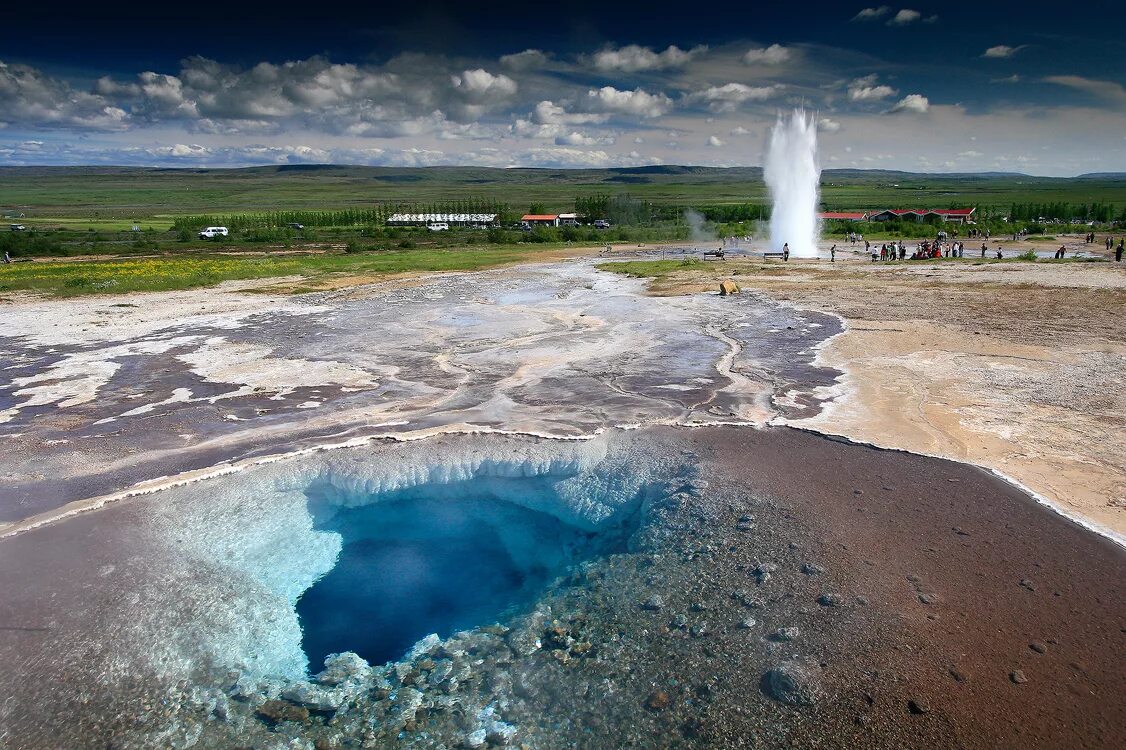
<point>793,175</point>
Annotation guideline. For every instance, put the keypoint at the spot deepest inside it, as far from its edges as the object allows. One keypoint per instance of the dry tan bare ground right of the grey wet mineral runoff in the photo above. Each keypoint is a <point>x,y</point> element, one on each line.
<point>1020,368</point>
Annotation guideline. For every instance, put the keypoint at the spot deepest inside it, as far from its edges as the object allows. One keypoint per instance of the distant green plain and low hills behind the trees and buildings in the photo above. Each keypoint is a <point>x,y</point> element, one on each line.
<point>153,197</point>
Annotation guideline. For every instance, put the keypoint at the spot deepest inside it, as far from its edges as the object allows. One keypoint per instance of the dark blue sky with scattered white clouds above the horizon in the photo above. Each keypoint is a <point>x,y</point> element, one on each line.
<point>955,87</point>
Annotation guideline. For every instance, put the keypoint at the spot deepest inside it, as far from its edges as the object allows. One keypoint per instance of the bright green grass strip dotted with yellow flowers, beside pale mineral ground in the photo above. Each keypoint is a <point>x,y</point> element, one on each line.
<point>184,273</point>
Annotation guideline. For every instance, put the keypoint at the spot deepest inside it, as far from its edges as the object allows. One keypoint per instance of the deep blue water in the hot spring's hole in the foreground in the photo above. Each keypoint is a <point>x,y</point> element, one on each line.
<point>437,559</point>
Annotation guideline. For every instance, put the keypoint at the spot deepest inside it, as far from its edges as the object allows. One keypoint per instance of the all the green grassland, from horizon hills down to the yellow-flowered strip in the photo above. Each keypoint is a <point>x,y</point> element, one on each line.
<point>93,211</point>
